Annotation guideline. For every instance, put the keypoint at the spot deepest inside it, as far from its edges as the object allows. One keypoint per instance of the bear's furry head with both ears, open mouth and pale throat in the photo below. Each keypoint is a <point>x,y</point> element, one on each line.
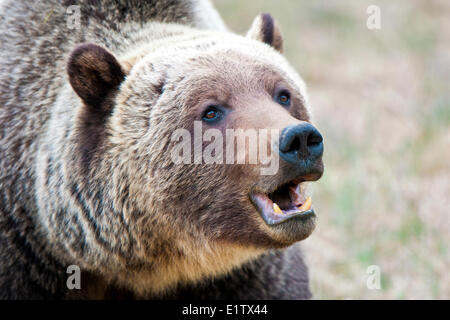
<point>193,152</point>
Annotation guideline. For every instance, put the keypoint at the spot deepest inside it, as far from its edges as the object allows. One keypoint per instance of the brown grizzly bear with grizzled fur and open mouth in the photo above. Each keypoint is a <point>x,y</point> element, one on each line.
<point>91,93</point>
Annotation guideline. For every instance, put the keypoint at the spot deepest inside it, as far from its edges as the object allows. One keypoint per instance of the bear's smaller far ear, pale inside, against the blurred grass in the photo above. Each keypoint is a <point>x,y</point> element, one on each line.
<point>265,29</point>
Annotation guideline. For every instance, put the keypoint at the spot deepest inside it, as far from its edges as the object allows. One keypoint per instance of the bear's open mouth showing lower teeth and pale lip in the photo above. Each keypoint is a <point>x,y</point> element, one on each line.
<point>286,202</point>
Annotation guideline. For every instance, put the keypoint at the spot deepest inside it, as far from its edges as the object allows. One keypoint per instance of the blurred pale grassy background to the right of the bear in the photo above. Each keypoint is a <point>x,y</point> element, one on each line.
<point>381,100</point>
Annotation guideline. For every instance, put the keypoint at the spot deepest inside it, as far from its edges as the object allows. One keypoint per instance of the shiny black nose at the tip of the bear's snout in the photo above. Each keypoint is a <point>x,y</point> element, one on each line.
<point>301,144</point>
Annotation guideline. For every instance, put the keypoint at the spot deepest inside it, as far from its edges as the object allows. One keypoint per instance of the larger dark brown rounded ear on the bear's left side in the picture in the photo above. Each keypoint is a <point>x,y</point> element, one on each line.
<point>93,73</point>
